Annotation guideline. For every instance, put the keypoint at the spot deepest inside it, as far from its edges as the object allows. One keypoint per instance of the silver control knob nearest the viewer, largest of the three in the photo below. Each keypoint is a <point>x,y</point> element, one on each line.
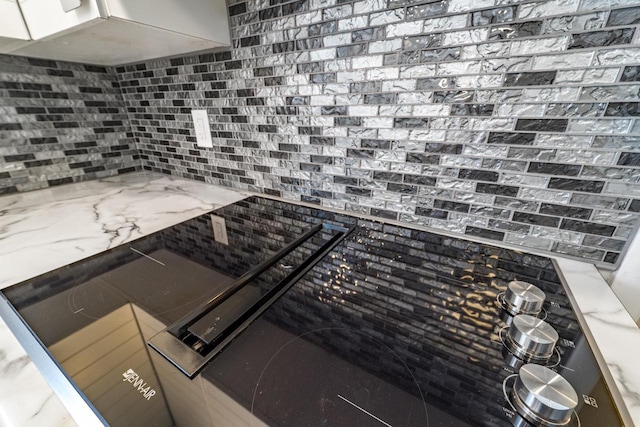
<point>543,396</point>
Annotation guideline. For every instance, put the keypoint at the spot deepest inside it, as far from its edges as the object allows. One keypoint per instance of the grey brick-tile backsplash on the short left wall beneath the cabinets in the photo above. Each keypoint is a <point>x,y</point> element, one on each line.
<point>60,123</point>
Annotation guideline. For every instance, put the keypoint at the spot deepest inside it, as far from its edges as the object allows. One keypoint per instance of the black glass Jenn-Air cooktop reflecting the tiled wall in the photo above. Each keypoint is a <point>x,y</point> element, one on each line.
<point>339,322</point>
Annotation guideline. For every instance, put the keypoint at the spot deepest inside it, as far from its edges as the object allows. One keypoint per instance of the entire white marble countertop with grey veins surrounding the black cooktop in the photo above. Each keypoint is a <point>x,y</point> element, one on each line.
<point>43,230</point>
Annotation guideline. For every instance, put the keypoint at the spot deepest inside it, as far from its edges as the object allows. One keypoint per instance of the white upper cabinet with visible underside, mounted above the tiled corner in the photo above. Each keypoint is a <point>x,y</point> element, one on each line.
<point>114,32</point>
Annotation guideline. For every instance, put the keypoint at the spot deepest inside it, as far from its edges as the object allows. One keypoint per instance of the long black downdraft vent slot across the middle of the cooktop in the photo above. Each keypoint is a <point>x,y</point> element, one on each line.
<point>194,340</point>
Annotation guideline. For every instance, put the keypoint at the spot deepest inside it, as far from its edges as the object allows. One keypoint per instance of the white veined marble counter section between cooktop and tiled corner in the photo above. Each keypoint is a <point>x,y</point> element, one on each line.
<point>45,230</point>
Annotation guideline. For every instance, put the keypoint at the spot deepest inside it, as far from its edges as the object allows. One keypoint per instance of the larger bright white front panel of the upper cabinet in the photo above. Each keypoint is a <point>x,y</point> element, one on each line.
<point>47,17</point>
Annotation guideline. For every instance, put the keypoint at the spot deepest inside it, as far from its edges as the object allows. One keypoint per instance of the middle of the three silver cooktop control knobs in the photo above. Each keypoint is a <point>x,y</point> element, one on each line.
<point>531,339</point>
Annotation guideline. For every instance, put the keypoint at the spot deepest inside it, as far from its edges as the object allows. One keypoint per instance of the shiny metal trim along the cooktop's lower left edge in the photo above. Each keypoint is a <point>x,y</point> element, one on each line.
<point>72,398</point>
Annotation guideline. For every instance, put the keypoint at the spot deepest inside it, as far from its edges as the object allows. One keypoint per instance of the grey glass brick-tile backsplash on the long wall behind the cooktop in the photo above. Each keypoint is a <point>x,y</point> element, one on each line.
<point>512,121</point>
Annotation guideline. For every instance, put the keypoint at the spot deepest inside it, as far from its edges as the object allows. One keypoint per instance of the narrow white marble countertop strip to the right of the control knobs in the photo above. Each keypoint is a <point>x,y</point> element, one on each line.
<point>612,328</point>
